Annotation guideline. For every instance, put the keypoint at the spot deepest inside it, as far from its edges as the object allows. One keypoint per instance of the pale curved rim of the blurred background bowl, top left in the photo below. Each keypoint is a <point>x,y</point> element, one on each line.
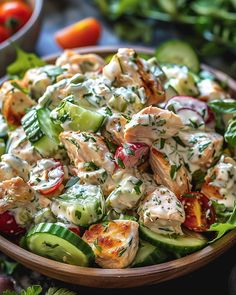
<point>36,12</point>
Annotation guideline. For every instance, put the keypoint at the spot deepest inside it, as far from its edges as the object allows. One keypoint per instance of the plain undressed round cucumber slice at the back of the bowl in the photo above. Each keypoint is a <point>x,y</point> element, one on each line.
<point>178,52</point>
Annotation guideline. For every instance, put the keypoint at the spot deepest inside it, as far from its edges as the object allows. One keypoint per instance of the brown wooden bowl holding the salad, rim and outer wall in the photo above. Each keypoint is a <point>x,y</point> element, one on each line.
<point>129,277</point>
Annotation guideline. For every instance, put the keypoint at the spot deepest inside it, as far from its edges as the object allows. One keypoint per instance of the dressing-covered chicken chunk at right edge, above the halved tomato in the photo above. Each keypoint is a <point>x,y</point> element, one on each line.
<point>220,182</point>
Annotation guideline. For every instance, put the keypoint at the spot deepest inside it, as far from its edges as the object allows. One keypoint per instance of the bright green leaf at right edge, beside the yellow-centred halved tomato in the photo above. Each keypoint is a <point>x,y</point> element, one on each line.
<point>222,228</point>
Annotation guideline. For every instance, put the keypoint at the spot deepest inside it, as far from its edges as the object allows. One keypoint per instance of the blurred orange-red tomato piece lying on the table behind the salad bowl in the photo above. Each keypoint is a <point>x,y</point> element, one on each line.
<point>82,33</point>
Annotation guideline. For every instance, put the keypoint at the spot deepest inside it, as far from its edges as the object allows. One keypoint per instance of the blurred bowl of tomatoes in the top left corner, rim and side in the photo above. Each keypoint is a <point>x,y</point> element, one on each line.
<point>25,38</point>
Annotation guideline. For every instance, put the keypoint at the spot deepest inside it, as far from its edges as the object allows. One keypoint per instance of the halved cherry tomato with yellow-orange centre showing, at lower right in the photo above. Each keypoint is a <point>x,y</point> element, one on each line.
<point>199,211</point>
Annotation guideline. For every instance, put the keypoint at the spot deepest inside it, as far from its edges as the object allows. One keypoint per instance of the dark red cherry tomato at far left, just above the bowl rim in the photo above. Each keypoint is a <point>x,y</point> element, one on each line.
<point>8,224</point>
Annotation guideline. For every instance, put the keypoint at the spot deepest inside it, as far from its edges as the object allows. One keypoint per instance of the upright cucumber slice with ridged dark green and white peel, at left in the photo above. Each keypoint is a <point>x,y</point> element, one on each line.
<point>41,131</point>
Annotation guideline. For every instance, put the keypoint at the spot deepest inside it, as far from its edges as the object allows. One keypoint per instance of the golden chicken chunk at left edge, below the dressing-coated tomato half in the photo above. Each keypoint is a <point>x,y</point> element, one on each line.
<point>14,192</point>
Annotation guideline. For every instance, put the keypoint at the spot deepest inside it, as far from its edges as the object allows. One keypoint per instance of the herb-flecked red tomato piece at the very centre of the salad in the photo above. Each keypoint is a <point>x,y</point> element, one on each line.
<point>131,154</point>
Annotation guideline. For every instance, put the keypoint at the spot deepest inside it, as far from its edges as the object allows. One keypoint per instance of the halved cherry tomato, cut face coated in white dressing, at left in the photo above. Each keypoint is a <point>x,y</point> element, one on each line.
<point>47,177</point>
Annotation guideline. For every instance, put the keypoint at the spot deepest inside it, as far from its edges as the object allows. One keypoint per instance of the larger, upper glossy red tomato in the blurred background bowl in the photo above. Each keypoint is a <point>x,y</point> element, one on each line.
<point>15,14</point>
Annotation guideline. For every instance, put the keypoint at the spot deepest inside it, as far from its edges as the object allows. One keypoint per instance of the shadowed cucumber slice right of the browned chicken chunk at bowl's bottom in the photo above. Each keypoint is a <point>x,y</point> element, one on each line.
<point>149,255</point>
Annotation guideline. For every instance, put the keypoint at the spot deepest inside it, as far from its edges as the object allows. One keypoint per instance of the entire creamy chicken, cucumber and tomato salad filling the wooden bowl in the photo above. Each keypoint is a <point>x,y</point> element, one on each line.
<point>120,162</point>
